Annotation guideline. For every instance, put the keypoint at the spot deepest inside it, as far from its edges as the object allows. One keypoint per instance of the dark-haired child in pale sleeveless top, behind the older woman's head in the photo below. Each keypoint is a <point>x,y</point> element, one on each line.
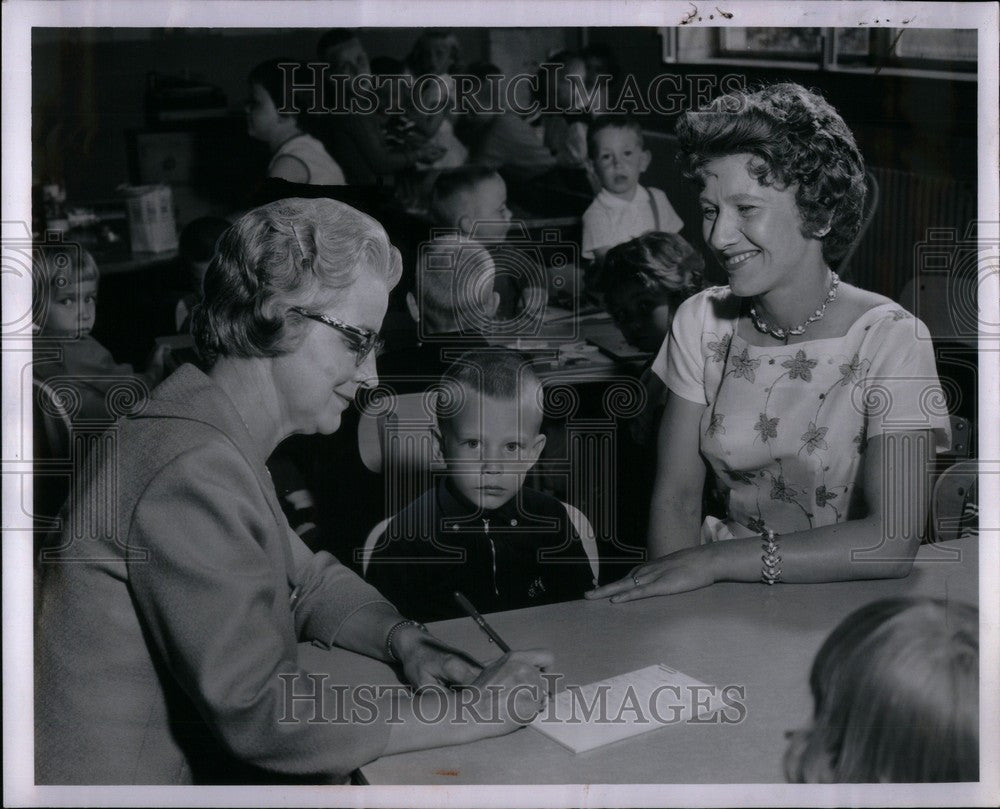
<point>295,155</point>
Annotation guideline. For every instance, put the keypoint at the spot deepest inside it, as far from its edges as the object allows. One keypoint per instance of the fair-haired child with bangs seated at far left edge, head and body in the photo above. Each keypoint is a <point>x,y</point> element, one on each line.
<point>65,292</point>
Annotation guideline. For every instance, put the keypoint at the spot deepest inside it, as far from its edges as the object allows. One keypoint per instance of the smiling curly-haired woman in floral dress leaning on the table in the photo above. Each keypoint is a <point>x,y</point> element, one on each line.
<point>816,404</point>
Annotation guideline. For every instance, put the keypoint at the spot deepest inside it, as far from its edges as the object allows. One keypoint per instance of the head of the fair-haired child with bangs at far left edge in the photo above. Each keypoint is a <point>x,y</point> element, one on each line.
<point>65,286</point>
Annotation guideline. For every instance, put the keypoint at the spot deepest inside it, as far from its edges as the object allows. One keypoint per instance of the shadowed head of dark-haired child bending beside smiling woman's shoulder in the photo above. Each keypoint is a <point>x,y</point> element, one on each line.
<point>644,281</point>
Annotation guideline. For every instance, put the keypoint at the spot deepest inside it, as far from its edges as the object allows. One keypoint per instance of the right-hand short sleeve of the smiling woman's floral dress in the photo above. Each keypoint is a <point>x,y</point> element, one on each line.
<point>901,389</point>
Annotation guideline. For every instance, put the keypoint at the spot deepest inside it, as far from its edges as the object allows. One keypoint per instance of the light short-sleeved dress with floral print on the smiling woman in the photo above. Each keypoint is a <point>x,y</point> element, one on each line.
<point>785,427</point>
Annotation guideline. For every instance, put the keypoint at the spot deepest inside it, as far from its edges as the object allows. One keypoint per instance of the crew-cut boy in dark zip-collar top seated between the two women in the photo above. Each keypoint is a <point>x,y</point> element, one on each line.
<point>480,530</point>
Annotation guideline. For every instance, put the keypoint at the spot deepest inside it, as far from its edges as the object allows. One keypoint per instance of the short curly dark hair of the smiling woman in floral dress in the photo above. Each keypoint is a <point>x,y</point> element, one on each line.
<point>800,140</point>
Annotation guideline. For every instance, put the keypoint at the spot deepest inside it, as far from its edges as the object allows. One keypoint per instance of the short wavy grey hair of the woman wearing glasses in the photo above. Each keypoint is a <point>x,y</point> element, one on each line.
<point>293,252</point>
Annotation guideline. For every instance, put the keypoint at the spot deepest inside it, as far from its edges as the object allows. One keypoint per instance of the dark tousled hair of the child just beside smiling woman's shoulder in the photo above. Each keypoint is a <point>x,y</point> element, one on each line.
<point>656,261</point>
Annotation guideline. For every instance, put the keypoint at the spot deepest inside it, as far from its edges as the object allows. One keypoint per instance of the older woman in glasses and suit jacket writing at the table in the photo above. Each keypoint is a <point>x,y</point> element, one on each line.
<point>167,626</point>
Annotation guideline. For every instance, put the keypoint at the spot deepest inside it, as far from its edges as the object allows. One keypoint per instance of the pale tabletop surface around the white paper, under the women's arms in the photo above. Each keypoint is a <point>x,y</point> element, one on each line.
<point>758,637</point>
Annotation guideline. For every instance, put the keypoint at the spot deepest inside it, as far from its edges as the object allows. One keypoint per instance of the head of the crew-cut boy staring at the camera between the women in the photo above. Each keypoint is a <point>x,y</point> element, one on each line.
<point>489,414</point>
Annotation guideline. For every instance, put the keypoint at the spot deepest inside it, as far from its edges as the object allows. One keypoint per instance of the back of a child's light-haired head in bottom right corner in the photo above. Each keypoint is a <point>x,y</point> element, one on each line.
<point>896,693</point>
